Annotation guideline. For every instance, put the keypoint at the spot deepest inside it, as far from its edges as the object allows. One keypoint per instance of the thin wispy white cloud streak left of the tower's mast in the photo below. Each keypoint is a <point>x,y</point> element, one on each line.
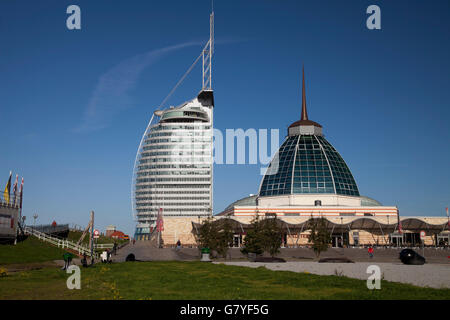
<point>111,95</point>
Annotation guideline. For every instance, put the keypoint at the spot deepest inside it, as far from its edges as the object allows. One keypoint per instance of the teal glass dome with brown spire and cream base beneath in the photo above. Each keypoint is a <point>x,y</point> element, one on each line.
<point>308,176</point>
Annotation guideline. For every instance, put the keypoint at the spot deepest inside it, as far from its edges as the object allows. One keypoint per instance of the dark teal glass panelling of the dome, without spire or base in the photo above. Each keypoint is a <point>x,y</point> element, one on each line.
<point>308,164</point>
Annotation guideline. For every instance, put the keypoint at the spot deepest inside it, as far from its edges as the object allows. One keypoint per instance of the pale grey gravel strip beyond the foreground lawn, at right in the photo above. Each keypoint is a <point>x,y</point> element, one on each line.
<point>428,275</point>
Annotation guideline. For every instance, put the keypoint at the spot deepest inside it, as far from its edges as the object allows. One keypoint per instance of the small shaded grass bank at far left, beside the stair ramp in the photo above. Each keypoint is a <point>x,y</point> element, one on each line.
<point>29,251</point>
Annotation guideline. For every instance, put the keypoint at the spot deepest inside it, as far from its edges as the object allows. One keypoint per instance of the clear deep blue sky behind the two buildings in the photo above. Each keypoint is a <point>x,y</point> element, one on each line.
<point>74,104</point>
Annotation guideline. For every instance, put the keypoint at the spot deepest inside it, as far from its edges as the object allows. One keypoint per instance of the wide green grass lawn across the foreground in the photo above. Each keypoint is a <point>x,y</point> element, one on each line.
<point>199,280</point>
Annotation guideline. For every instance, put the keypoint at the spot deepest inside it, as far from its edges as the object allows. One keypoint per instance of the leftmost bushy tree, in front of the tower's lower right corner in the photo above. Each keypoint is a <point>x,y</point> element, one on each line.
<point>215,235</point>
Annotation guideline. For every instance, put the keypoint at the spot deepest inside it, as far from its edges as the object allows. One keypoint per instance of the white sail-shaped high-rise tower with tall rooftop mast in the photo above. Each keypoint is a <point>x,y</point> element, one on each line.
<point>173,171</point>
